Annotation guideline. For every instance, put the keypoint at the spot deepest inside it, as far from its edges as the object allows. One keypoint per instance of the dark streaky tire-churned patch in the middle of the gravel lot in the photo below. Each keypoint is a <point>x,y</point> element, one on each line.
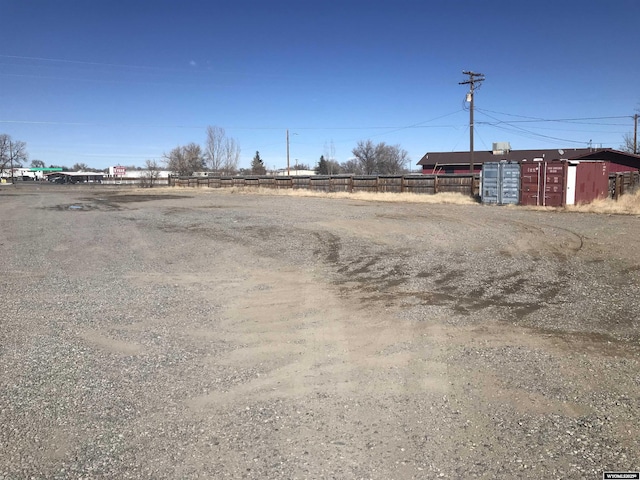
<point>386,276</point>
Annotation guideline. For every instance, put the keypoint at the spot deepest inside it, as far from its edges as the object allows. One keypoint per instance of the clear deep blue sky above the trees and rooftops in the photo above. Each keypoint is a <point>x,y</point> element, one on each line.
<point>118,82</point>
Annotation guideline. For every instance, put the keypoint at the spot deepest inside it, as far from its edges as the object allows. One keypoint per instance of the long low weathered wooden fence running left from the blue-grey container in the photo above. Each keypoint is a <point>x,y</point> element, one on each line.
<point>425,184</point>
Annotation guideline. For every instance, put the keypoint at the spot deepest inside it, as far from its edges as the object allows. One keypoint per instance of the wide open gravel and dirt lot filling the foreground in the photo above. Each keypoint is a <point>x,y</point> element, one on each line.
<point>190,334</point>
